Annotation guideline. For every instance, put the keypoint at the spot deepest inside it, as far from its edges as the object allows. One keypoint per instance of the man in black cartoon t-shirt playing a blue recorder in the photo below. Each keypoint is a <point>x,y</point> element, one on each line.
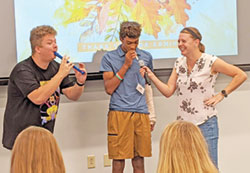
<point>35,86</point>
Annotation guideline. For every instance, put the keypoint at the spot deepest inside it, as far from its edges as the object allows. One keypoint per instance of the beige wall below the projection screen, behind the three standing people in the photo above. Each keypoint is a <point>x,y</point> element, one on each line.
<point>81,129</point>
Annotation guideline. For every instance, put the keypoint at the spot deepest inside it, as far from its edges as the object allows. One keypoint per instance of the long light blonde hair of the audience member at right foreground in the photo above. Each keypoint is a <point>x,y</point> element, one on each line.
<point>183,149</point>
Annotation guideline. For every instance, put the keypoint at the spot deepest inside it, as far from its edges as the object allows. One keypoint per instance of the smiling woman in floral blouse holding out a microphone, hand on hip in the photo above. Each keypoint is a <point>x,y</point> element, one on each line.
<point>194,76</point>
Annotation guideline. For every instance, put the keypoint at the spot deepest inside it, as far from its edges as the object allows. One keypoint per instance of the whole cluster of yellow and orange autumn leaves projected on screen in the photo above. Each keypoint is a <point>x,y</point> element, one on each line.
<point>105,16</point>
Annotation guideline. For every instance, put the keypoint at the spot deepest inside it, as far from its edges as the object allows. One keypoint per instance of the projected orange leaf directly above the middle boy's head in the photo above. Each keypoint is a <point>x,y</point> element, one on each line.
<point>146,13</point>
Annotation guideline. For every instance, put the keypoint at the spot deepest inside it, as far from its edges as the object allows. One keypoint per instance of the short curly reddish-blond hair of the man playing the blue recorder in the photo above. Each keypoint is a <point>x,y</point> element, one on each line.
<point>37,34</point>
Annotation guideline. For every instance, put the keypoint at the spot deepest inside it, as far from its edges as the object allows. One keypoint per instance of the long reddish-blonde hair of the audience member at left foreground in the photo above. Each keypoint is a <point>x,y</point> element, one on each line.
<point>36,151</point>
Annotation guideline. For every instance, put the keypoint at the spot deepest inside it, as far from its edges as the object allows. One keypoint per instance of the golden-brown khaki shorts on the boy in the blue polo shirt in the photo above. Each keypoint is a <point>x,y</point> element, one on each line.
<point>129,135</point>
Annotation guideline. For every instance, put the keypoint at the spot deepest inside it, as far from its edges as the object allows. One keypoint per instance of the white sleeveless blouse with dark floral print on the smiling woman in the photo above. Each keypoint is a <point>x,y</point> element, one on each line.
<point>195,87</point>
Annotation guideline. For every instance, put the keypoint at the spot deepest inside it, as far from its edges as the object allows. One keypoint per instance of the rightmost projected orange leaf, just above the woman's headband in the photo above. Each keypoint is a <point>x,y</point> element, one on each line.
<point>177,8</point>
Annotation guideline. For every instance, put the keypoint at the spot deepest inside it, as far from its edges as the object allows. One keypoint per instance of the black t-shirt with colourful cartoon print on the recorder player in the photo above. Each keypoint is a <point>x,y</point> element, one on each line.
<point>20,112</point>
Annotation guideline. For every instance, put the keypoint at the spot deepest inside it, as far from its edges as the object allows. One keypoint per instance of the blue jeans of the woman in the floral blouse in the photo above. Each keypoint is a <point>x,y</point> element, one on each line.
<point>210,131</point>
